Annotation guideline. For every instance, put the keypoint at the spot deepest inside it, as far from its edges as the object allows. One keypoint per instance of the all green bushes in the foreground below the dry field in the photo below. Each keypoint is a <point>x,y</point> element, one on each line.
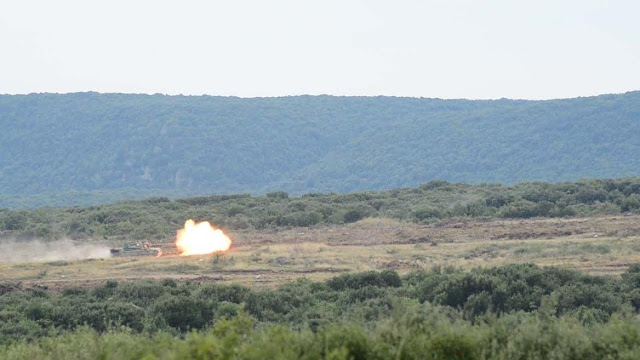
<point>509,312</point>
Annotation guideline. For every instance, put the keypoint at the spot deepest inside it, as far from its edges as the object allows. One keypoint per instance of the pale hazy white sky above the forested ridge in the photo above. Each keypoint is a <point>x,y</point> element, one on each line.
<point>446,49</point>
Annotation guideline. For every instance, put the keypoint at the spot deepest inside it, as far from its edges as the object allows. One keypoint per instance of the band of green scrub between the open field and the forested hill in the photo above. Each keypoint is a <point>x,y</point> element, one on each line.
<point>159,217</point>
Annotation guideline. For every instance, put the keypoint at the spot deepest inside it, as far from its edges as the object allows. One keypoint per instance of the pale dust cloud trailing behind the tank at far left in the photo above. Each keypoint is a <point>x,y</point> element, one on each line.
<point>34,251</point>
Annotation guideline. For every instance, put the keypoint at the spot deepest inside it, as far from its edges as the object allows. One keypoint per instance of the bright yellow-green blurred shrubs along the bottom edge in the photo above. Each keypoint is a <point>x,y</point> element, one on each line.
<point>418,334</point>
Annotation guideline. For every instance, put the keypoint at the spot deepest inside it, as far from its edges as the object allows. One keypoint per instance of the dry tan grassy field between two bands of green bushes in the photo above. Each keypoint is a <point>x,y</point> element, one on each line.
<point>268,258</point>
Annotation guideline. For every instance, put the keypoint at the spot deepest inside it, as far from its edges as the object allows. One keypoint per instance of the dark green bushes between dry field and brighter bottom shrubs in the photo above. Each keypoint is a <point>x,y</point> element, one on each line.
<point>349,303</point>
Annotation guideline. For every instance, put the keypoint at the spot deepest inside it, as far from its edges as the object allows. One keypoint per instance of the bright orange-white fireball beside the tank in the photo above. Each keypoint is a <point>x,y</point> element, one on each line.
<point>201,238</point>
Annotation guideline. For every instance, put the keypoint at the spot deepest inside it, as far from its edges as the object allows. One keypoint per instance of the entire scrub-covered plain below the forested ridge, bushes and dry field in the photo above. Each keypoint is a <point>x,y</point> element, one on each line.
<point>444,271</point>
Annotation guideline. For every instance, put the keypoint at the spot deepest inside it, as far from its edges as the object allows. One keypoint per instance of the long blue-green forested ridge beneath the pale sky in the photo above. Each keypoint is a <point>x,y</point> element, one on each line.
<point>89,143</point>
